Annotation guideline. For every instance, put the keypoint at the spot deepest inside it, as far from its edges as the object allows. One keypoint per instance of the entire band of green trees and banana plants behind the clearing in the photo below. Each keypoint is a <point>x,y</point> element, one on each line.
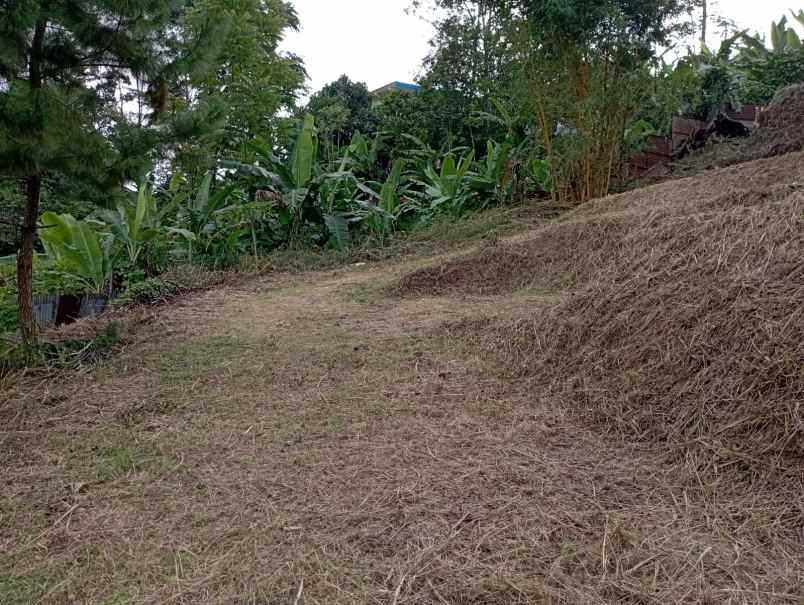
<point>177,137</point>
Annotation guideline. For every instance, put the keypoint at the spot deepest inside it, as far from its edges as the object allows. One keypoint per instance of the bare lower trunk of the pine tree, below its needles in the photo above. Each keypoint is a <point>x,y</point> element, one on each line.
<point>25,260</point>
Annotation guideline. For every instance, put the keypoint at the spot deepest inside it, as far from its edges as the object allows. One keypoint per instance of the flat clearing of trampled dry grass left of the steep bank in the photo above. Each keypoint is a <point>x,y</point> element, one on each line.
<point>316,441</point>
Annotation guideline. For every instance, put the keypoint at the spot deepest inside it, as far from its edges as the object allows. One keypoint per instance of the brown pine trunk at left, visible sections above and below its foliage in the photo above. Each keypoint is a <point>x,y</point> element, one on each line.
<point>33,186</point>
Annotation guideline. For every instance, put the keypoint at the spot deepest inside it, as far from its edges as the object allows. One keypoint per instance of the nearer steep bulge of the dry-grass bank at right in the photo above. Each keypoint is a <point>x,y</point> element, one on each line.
<point>693,335</point>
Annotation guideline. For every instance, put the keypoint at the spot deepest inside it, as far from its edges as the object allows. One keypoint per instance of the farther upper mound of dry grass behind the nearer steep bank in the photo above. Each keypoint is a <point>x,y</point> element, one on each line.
<point>566,254</point>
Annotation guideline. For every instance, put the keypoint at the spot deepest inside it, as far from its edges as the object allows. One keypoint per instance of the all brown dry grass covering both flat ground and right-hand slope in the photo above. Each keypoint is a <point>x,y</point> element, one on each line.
<point>313,440</point>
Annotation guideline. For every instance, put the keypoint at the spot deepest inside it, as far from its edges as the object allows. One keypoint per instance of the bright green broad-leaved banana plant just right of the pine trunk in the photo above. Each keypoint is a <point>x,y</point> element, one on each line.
<point>77,247</point>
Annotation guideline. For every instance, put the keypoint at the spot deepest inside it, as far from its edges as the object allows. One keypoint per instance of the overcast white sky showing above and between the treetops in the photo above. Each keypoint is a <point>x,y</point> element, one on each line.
<point>375,42</point>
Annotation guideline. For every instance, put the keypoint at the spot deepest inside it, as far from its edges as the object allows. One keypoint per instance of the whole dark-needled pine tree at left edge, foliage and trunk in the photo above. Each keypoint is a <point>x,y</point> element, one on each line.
<point>61,64</point>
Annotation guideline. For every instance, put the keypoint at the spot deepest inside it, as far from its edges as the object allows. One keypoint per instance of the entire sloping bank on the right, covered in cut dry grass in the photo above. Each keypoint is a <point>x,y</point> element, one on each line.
<point>686,326</point>
